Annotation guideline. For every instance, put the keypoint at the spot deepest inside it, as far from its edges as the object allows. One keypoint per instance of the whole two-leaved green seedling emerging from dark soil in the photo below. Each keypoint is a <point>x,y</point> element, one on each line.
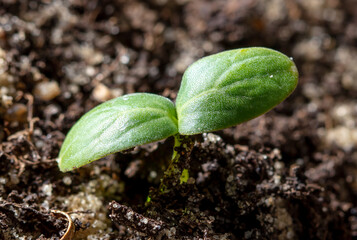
<point>217,92</point>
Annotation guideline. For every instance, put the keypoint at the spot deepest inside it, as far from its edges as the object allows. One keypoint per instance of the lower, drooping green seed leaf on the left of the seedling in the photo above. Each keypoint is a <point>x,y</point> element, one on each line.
<point>116,125</point>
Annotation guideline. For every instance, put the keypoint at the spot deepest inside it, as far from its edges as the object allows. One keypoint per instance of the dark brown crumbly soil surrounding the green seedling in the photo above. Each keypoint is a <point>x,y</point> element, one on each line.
<point>289,174</point>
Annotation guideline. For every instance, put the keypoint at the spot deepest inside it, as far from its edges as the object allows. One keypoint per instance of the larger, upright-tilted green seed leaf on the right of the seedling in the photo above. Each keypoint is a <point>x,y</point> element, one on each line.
<point>231,87</point>
